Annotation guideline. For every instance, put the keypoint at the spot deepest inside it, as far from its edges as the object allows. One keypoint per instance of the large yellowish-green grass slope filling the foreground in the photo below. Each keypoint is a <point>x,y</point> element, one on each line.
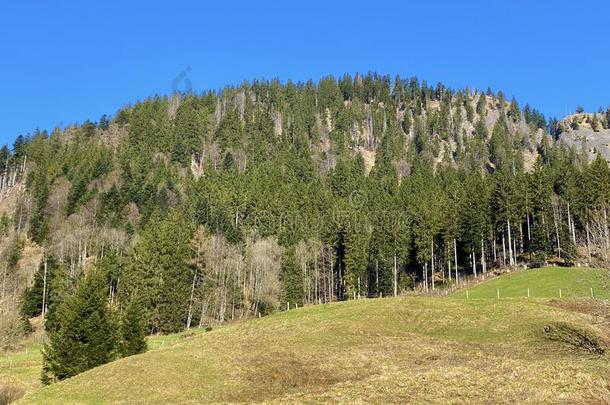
<point>404,350</point>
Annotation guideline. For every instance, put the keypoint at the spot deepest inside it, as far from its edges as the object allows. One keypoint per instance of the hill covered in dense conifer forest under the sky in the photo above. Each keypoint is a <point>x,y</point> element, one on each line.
<point>228,204</point>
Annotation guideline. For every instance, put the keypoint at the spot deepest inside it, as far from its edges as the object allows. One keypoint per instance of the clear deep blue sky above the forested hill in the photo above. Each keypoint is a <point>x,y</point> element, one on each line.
<point>66,61</point>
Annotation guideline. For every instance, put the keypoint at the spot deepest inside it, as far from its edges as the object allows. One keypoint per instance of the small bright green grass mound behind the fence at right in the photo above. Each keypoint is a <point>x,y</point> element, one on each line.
<point>575,282</point>
